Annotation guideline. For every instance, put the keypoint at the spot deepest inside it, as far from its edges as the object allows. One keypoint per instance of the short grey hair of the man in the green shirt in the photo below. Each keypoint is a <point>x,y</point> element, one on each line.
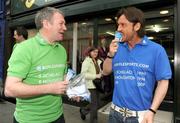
<point>45,14</point>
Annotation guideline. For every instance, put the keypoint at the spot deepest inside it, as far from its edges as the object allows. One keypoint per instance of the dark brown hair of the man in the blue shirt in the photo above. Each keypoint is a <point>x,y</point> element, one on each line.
<point>134,15</point>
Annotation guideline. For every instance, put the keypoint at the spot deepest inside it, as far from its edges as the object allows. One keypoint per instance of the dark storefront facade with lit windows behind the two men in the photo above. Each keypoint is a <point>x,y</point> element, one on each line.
<point>89,20</point>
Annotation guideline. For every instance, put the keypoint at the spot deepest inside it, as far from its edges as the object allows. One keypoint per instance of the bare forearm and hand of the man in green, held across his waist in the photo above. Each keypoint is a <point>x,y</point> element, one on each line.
<point>14,87</point>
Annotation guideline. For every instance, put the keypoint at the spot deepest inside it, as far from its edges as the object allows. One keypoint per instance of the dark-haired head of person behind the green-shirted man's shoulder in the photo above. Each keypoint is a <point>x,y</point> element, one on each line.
<point>20,34</point>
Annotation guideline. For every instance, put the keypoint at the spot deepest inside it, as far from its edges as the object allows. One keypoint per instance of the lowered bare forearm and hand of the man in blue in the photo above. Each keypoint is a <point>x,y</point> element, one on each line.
<point>159,95</point>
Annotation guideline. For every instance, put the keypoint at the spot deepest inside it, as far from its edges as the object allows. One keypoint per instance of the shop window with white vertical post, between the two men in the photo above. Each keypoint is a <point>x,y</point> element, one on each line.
<point>84,40</point>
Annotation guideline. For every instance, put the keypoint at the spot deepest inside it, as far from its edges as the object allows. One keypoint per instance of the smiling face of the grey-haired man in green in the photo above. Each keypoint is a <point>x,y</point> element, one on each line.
<point>57,27</point>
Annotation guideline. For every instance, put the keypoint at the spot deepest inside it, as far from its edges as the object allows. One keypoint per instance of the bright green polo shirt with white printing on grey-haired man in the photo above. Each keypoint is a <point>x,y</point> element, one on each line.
<point>37,62</point>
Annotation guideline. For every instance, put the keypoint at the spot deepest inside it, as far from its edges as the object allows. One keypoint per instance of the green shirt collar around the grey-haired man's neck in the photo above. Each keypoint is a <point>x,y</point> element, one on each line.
<point>43,41</point>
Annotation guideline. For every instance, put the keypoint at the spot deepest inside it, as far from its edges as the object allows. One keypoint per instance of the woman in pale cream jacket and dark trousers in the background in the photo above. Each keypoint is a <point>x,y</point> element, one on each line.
<point>91,70</point>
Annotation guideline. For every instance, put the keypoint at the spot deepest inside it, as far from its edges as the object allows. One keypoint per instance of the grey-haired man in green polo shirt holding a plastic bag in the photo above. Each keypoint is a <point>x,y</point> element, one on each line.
<point>36,72</point>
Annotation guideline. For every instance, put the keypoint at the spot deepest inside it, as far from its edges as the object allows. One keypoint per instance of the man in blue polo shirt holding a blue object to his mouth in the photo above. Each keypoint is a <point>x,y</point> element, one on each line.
<point>138,65</point>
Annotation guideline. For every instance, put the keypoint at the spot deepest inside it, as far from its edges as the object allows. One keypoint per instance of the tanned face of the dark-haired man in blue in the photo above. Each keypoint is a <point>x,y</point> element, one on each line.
<point>126,28</point>
